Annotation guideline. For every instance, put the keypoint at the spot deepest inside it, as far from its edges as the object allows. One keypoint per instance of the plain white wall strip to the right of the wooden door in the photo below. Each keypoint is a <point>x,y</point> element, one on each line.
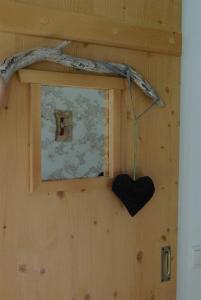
<point>189,277</point>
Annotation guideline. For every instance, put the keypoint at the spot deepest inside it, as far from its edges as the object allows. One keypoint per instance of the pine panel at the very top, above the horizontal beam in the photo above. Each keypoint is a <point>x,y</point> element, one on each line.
<point>165,15</point>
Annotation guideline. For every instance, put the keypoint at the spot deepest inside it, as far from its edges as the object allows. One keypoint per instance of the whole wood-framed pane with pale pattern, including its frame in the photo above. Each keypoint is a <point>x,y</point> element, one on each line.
<point>78,123</point>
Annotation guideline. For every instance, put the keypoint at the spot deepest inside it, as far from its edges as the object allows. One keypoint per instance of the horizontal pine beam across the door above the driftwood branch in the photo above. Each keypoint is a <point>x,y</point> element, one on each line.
<point>58,24</point>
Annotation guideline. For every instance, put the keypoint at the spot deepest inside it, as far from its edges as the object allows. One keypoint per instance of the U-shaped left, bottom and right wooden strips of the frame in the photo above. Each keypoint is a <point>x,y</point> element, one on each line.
<point>113,163</point>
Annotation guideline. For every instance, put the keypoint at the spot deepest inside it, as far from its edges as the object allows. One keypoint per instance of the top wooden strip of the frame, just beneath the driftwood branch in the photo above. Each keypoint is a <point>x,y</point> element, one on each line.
<point>71,79</point>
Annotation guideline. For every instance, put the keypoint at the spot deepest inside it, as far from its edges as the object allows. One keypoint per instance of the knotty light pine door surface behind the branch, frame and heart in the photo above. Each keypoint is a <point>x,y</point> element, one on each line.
<point>86,247</point>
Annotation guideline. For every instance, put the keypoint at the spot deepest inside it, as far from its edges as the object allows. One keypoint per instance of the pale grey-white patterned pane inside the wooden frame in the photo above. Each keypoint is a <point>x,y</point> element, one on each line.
<point>82,155</point>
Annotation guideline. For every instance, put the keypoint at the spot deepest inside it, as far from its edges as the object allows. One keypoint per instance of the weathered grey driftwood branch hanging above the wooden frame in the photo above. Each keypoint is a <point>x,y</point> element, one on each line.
<point>19,61</point>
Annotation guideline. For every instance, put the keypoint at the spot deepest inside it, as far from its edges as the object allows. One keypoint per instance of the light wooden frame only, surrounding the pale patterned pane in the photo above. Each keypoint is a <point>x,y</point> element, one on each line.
<point>117,132</point>
